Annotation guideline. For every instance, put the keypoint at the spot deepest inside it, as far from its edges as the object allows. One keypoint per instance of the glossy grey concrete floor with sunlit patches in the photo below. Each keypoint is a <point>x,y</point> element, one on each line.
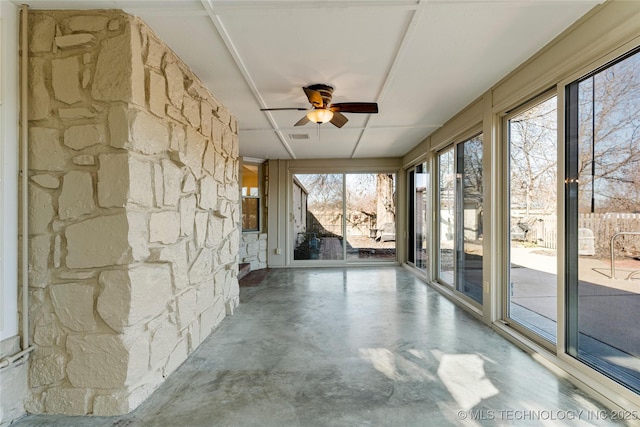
<point>353,347</point>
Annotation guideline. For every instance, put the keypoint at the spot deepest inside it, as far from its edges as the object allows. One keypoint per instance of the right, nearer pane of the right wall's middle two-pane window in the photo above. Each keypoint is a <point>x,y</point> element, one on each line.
<point>469,212</point>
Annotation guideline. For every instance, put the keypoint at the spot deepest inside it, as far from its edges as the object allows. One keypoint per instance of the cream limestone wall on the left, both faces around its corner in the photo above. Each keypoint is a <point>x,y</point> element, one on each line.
<point>134,212</point>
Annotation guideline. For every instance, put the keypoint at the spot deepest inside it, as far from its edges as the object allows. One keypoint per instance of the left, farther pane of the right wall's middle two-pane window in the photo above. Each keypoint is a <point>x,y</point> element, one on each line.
<point>446,215</point>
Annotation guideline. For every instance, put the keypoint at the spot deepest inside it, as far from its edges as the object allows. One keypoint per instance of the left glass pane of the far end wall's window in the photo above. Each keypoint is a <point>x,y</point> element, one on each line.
<point>318,217</point>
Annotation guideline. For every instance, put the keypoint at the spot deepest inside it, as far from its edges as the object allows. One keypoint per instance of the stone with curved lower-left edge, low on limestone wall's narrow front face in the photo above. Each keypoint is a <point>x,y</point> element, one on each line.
<point>73,304</point>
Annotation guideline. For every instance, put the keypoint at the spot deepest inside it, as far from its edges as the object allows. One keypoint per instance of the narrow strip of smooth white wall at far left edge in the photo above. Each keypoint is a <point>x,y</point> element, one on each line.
<point>8,169</point>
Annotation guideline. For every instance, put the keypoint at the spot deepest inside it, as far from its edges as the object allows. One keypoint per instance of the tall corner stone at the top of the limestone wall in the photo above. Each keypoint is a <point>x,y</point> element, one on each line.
<point>119,73</point>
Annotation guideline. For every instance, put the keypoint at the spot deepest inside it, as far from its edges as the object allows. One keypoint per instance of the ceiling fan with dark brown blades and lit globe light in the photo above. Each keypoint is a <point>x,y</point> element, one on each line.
<point>323,110</point>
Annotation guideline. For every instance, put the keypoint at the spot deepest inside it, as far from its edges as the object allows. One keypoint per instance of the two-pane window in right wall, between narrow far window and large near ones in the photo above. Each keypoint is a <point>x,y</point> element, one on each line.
<point>460,217</point>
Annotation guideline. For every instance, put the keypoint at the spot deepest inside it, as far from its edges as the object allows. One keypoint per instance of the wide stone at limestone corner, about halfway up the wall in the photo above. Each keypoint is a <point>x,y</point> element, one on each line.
<point>100,242</point>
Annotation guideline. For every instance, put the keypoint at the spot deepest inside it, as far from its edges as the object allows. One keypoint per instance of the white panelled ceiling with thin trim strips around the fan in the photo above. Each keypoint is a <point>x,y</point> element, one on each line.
<point>422,61</point>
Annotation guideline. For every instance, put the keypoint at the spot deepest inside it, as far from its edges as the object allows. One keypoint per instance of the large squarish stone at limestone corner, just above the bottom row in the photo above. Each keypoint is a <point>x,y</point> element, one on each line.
<point>106,351</point>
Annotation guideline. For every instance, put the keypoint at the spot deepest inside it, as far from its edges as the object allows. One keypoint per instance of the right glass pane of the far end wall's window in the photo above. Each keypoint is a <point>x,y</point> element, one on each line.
<point>371,216</point>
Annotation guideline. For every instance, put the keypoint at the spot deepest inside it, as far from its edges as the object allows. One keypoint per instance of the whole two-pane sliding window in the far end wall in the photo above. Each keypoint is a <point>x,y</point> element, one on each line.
<point>344,216</point>
